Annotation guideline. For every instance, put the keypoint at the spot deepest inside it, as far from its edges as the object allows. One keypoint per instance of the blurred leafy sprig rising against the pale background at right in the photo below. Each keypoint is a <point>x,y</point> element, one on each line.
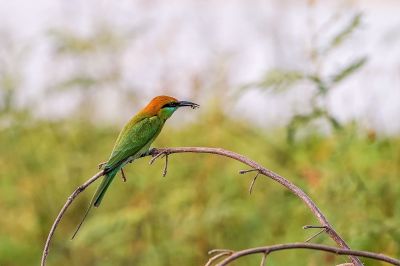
<point>282,79</point>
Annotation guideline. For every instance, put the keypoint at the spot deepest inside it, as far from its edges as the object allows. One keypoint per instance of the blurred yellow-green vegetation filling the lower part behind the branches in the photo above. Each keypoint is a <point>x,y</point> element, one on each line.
<point>203,203</point>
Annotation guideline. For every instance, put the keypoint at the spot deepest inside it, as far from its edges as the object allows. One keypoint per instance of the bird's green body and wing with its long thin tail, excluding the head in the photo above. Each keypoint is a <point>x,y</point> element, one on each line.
<point>134,140</point>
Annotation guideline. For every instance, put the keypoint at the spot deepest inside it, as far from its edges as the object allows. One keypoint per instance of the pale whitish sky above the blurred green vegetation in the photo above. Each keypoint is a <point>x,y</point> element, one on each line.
<point>178,40</point>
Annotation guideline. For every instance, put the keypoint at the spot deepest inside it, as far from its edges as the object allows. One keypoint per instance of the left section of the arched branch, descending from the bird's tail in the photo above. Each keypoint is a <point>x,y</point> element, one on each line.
<point>63,210</point>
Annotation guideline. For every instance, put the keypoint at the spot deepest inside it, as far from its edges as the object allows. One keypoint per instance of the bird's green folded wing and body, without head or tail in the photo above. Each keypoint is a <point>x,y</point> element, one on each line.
<point>135,135</point>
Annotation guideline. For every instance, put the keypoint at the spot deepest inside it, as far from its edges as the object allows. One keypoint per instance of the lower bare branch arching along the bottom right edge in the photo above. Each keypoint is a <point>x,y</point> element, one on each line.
<point>338,251</point>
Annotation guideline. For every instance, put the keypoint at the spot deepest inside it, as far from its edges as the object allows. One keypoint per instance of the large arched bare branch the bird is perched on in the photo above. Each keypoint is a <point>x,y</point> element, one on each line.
<point>262,170</point>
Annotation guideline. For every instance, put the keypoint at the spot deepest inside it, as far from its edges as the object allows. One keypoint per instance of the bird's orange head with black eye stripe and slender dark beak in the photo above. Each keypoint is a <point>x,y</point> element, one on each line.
<point>165,106</point>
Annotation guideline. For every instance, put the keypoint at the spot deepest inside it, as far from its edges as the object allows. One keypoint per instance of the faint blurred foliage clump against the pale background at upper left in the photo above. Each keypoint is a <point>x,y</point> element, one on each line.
<point>90,64</point>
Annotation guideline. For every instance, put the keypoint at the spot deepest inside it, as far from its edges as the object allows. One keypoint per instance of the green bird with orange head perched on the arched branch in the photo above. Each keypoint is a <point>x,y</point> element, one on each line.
<point>134,141</point>
